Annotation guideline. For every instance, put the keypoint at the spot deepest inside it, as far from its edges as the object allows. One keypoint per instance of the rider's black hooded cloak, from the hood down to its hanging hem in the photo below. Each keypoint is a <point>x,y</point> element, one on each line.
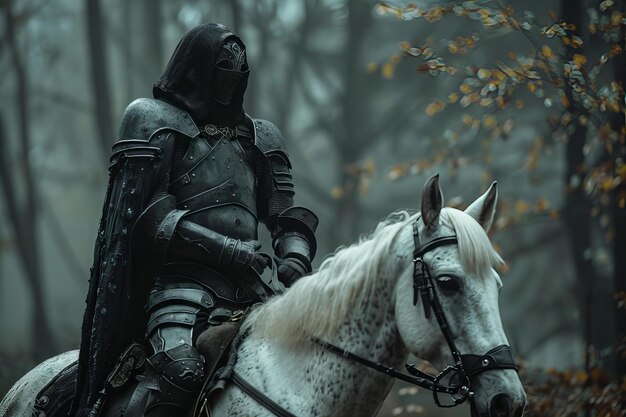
<point>114,316</point>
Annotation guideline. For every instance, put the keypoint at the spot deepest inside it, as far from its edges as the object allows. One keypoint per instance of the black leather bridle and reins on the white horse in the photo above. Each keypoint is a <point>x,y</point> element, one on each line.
<point>465,366</point>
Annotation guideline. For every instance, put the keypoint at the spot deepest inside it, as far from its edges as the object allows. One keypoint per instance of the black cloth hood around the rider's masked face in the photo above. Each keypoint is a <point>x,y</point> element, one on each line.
<point>187,80</point>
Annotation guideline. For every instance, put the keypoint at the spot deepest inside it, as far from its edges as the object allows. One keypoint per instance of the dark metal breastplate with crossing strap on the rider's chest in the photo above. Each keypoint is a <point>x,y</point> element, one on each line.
<point>216,183</point>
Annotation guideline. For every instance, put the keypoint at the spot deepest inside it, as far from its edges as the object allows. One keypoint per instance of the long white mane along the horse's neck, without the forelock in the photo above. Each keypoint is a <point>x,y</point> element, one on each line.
<point>348,278</point>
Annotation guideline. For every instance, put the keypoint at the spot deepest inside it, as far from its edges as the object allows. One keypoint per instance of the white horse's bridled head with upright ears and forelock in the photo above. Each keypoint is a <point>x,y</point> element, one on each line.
<point>459,261</point>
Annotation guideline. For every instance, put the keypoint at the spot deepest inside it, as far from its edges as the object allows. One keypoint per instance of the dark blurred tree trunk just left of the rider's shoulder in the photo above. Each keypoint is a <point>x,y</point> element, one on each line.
<point>99,76</point>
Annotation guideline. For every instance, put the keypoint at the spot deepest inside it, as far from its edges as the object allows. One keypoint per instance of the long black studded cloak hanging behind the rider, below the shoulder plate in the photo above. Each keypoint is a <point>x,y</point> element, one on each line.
<point>114,315</point>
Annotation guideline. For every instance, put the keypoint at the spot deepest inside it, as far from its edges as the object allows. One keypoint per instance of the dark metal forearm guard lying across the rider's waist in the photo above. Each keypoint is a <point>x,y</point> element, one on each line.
<point>163,229</point>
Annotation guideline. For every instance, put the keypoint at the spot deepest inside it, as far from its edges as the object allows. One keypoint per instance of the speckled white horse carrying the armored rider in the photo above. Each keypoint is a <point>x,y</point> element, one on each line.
<point>361,299</point>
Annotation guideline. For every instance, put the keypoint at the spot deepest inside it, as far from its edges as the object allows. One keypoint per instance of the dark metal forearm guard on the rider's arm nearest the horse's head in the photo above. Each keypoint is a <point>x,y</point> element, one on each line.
<point>296,235</point>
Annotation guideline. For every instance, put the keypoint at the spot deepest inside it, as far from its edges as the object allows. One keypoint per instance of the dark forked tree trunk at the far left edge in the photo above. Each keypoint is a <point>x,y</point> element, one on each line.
<point>24,217</point>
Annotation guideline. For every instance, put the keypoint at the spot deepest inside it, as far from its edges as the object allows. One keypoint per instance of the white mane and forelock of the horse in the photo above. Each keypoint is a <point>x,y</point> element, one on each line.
<point>349,277</point>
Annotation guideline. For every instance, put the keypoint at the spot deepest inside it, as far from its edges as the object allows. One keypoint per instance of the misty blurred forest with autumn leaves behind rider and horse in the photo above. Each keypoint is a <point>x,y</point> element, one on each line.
<point>373,98</point>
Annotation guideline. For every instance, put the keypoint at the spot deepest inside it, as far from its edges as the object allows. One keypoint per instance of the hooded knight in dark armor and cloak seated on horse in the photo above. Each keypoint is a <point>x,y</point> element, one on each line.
<point>191,176</point>
